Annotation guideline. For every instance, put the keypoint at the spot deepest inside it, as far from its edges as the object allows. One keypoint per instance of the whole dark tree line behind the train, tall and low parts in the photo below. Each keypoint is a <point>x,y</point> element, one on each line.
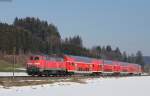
<point>32,35</point>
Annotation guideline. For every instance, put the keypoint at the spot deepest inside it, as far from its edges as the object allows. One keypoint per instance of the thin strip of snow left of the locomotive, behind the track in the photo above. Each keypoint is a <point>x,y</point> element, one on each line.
<point>11,74</point>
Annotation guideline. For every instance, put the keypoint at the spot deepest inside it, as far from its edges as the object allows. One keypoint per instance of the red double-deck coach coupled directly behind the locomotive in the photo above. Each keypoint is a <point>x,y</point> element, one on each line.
<point>79,64</point>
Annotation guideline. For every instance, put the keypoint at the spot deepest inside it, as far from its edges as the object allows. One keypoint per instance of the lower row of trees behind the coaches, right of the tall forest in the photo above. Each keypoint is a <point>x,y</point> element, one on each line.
<point>74,46</point>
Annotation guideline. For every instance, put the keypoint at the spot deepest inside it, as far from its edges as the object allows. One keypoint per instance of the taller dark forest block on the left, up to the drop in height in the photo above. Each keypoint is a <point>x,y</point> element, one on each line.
<point>28,35</point>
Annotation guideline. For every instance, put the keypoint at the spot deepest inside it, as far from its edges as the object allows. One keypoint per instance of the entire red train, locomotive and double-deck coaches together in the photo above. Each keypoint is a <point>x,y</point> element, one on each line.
<point>68,65</point>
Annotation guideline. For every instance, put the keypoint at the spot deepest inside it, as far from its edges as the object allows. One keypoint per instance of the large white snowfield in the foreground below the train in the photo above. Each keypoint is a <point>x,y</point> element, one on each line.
<point>125,86</point>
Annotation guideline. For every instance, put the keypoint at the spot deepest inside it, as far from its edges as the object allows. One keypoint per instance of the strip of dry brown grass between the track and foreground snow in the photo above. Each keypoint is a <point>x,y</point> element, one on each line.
<point>9,82</point>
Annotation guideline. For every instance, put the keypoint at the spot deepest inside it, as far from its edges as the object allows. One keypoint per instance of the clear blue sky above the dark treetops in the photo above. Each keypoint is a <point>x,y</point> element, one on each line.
<point>119,23</point>
